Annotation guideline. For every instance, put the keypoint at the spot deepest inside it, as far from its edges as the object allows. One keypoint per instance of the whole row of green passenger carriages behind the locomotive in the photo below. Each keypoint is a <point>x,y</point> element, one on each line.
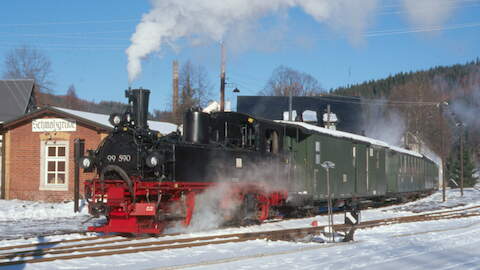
<point>364,168</point>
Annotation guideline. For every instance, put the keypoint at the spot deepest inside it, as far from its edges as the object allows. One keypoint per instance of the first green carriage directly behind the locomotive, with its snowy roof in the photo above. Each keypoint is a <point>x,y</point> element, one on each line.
<point>359,163</point>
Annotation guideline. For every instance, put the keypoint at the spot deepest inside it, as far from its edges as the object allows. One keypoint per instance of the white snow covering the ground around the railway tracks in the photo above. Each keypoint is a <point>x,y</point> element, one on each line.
<point>443,244</point>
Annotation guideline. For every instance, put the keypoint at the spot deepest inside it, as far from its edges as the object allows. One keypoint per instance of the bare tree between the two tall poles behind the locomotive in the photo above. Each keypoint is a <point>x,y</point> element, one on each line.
<point>194,87</point>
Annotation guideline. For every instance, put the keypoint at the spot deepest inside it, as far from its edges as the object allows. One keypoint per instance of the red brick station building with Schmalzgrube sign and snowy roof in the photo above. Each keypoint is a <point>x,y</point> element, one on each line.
<point>38,151</point>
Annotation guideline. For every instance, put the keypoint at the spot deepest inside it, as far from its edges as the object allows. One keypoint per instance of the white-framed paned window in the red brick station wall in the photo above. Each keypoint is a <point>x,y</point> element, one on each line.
<point>54,173</point>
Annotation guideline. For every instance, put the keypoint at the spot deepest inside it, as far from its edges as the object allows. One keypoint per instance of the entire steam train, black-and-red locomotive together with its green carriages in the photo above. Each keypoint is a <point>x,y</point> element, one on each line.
<point>257,169</point>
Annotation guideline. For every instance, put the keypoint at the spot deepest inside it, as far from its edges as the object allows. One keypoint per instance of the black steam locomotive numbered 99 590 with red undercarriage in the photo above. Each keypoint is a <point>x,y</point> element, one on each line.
<point>142,175</point>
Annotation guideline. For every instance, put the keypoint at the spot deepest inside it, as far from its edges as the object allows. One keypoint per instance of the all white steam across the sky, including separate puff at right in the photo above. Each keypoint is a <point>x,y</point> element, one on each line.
<point>200,21</point>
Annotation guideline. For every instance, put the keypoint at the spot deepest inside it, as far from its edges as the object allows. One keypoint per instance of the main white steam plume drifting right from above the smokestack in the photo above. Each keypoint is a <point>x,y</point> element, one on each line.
<point>212,20</point>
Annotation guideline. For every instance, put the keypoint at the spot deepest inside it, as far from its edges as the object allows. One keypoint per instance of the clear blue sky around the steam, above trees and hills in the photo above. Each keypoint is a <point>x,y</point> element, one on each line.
<point>86,43</point>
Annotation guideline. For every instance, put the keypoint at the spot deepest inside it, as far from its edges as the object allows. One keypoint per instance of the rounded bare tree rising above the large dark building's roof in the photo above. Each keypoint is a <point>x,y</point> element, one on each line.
<point>285,80</point>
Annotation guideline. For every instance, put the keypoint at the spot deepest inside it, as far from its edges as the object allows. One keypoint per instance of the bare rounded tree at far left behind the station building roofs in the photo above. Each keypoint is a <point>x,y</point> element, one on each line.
<point>29,63</point>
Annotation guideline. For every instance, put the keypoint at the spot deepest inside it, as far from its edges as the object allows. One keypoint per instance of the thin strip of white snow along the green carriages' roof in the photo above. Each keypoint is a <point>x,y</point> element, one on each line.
<point>342,134</point>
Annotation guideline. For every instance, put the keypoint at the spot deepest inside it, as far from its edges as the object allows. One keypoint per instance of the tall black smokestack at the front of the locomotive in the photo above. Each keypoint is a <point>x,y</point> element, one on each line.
<point>139,100</point>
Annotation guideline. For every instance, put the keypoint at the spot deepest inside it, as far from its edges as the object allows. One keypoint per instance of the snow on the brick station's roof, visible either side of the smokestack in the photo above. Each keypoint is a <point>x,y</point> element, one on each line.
<point>162,127</point>
